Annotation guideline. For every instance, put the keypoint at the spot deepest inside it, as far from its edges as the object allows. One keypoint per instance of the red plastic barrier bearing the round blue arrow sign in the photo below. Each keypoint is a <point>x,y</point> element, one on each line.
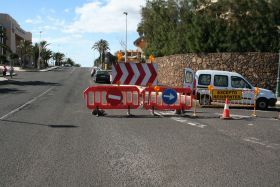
<point>164,98</point>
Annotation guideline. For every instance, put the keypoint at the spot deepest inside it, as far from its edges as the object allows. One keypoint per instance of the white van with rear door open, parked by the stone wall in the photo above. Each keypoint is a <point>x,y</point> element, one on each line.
<point>228,81</point>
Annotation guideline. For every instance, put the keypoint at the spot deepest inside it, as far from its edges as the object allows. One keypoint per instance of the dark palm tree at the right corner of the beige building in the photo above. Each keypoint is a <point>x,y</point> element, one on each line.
<point>25,50</point>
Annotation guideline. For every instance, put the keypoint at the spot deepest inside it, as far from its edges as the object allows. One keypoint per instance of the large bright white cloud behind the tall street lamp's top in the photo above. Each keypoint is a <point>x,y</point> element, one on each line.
<point>100,17</point>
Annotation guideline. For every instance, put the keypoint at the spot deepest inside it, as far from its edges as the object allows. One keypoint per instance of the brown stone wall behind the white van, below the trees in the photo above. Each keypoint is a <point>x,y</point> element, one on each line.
<point>259,68</point>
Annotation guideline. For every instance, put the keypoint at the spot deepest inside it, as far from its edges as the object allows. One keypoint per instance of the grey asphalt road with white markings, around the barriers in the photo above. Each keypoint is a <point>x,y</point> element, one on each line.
<point>49,138</point>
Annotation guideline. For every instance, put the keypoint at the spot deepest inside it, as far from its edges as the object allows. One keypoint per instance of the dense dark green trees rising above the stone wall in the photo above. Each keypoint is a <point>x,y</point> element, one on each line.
<point>209,26</point>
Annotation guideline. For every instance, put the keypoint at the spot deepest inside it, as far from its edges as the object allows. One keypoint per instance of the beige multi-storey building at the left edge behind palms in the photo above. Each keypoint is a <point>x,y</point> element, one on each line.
<point>14,33</point>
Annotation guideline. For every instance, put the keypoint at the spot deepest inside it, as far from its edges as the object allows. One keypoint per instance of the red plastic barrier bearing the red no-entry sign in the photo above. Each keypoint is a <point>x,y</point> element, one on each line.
<point>112,97</point>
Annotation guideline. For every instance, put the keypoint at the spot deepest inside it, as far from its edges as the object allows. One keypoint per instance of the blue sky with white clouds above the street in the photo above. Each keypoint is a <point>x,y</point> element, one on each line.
<point>73,26</point>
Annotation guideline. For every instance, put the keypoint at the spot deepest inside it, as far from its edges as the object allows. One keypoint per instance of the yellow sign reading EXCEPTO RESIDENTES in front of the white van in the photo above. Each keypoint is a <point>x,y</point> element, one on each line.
<point>230,94</point>
